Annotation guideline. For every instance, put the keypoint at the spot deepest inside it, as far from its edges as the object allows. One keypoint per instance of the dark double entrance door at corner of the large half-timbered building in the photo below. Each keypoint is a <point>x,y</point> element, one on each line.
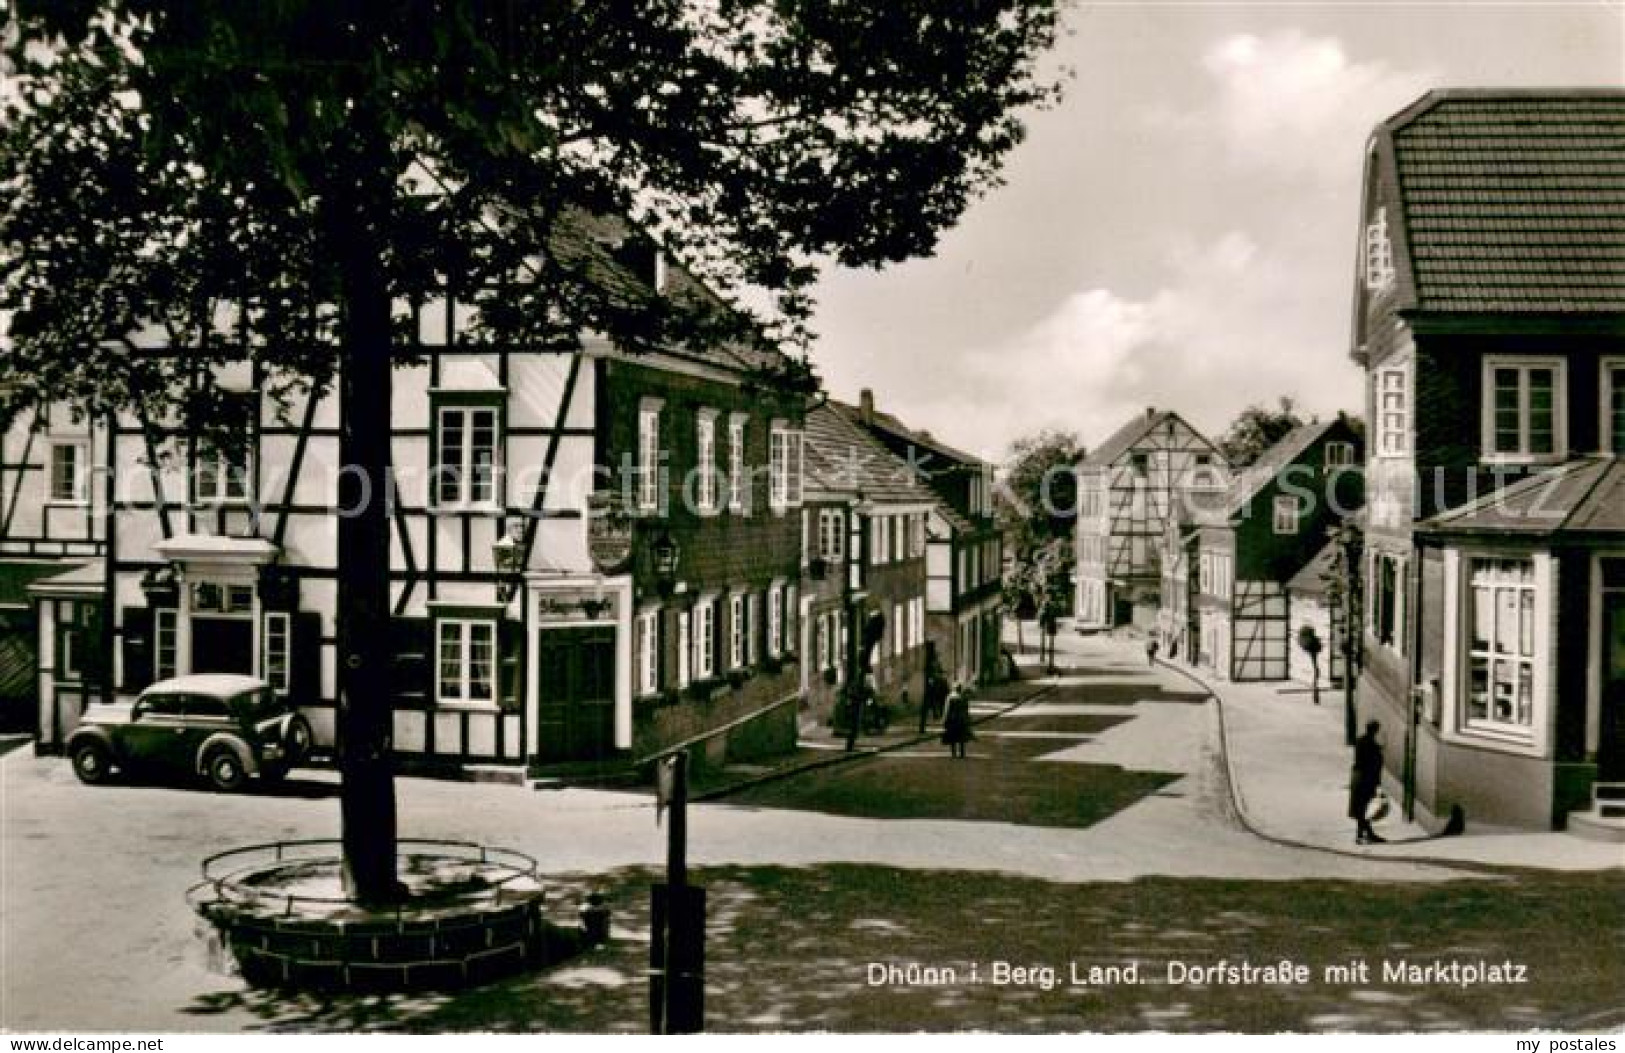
<point>576,693</point>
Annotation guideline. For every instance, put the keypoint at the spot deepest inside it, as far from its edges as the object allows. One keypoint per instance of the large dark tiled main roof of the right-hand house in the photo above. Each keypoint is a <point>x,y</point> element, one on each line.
<point>1514,201</point>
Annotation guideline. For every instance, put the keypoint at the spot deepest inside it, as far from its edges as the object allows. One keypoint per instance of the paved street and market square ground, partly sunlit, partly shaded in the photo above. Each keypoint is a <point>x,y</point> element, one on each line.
<point>1090,825</point>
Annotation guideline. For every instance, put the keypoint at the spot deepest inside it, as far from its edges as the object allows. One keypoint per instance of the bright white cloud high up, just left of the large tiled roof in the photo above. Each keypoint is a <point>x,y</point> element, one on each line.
<point>1289,105</point>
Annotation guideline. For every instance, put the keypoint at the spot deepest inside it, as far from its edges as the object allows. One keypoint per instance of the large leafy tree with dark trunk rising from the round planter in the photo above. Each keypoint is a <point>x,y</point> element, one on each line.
<point>319,163</point>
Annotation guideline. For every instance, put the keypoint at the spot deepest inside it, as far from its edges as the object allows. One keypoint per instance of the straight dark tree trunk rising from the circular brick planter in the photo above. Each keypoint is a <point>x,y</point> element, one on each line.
<point>365,690</point>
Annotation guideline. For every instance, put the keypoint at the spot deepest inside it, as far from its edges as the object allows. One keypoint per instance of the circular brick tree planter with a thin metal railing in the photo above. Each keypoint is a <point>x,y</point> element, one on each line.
<point>277,916</point>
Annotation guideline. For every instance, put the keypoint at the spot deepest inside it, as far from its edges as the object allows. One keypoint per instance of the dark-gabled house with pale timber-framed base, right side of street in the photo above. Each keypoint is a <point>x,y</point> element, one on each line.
<point>1241,558</point>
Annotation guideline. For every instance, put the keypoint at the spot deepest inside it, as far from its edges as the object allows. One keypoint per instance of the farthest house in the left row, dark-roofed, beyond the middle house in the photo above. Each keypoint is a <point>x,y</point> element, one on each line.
<point>964,548</point>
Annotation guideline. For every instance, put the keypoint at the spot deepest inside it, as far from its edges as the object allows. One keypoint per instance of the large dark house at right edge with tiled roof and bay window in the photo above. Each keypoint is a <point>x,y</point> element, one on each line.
<point>1489,314</point>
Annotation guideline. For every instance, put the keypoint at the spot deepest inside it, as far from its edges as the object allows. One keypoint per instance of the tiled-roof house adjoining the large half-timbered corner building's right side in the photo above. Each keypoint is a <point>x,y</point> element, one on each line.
<point>865,553</point>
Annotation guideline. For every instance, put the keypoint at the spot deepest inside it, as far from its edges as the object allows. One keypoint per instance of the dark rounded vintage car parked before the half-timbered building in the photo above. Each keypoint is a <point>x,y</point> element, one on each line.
<point>220,727</point>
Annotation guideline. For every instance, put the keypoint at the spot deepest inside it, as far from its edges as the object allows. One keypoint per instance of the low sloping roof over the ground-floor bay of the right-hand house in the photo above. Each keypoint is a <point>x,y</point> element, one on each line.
<point>1582,498</point>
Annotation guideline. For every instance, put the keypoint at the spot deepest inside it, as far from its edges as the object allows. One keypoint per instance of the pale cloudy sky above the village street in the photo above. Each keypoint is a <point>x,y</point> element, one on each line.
<point>1181,230</point>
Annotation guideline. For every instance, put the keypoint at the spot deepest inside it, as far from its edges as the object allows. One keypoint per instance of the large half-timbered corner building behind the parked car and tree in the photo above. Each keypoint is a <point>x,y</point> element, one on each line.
<point>594,557</point>
